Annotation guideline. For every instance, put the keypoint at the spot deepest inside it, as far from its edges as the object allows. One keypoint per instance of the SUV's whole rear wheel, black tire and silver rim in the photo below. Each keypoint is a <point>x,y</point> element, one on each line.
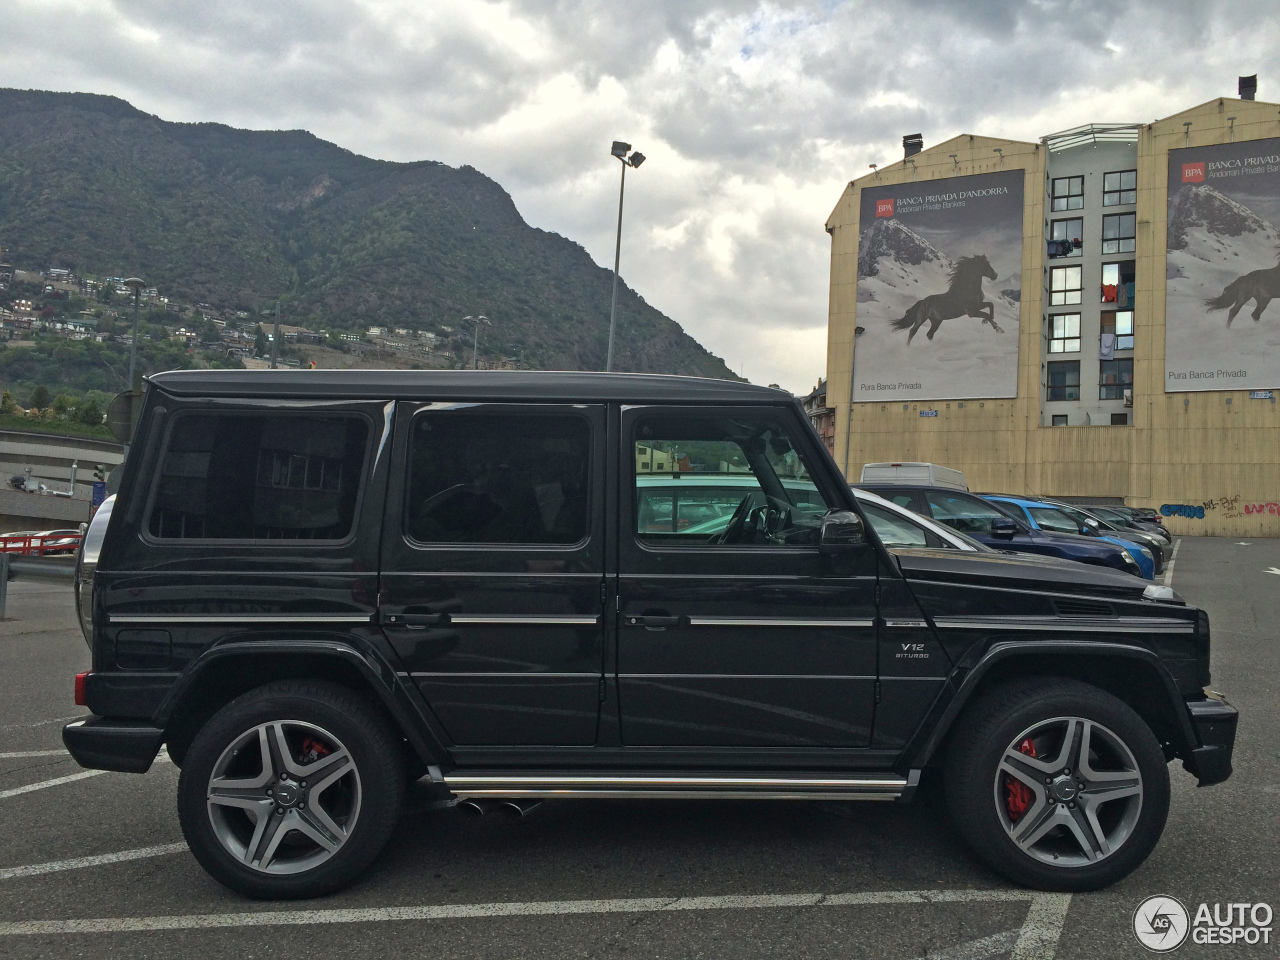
<point>291,790</point>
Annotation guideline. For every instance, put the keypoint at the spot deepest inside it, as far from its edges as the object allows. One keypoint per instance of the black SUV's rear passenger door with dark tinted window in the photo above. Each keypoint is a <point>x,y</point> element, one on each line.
<point>493,569</point>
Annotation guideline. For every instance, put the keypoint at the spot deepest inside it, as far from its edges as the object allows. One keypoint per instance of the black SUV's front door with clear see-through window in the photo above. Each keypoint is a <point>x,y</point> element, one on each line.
<point>733,629</point>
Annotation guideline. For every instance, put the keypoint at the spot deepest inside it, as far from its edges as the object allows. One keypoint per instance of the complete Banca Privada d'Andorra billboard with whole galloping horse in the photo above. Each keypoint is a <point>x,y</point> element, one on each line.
<point>940,289</point>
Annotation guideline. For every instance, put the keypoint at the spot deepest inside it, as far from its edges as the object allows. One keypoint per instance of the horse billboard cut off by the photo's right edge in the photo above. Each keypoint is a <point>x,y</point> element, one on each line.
<point>1222,268</point>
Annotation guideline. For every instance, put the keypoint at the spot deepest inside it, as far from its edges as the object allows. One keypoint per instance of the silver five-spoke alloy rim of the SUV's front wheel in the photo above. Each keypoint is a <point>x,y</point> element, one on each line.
<point>1085,787</point>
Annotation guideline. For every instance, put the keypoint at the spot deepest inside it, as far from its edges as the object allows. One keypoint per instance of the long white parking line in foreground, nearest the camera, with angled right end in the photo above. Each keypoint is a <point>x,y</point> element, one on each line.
<point>1036,940</point>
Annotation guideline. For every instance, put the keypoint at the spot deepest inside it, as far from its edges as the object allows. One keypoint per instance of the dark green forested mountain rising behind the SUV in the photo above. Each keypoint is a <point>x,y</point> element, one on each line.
<point>237,218</point>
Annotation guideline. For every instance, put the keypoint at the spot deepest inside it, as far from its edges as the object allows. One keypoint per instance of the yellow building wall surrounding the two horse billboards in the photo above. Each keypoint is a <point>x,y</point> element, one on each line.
<point>1183,449</point>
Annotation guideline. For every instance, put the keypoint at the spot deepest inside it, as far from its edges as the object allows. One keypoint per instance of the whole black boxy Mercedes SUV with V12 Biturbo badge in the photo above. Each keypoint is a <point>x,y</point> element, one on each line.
<point>317,586</point>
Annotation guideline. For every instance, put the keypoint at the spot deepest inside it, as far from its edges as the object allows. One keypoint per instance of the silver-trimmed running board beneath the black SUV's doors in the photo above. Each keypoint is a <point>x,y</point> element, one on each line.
<point>610,787</point>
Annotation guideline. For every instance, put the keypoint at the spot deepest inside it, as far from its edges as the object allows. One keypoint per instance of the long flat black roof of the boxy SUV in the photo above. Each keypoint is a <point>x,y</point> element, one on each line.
<point>478,386</point>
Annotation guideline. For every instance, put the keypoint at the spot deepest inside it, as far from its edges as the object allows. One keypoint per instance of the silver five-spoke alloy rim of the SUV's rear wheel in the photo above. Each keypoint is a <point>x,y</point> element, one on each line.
<point>285,797</point>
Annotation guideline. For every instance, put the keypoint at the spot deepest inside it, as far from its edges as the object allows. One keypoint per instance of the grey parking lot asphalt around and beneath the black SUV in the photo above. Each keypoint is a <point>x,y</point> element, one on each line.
<point>620,879</point>
